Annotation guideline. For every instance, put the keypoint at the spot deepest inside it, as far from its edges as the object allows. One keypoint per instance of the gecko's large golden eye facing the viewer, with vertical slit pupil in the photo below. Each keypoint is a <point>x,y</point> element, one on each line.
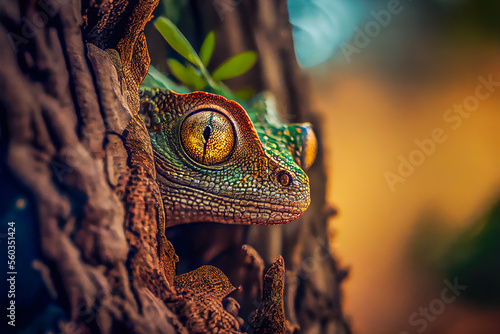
<point>207,137</point>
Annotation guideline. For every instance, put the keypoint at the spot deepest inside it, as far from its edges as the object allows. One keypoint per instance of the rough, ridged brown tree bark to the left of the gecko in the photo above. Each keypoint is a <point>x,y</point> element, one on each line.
<point>71,138</point>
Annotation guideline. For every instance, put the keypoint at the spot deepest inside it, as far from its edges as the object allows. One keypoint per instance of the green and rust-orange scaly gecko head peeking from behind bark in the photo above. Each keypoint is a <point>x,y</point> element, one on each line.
<point>212,166</point>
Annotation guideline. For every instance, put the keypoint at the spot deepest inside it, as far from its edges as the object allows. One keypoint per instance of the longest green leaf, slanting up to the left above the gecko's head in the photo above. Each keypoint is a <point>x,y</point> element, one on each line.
<point>177,40</point>
